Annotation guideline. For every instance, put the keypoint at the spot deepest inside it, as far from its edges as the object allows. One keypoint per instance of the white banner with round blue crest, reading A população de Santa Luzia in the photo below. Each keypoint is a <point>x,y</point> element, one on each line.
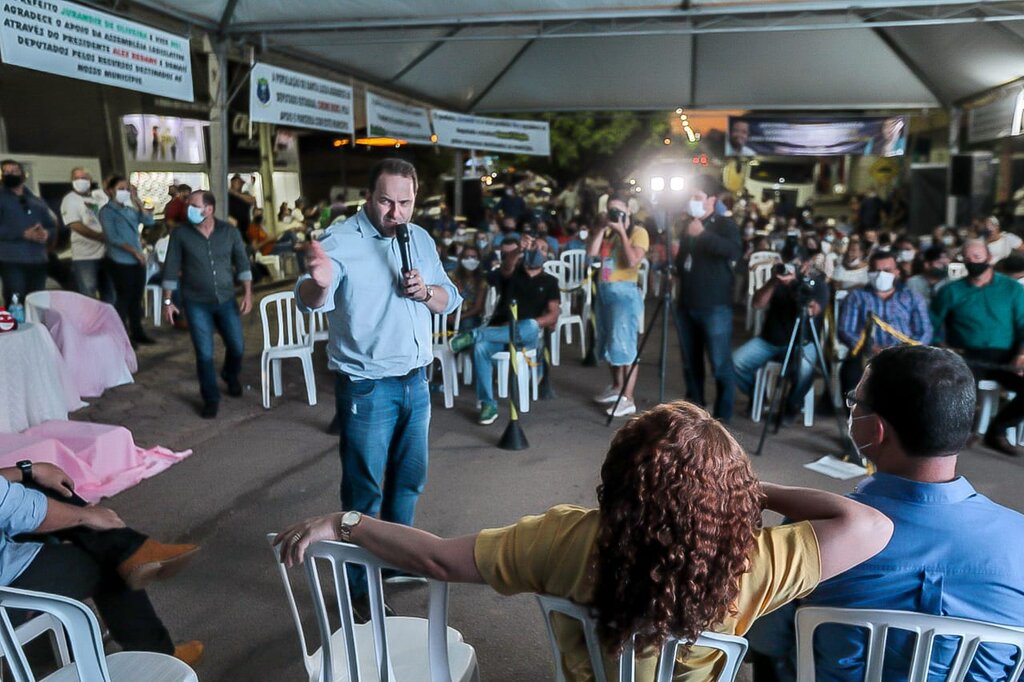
<point>289,99</point>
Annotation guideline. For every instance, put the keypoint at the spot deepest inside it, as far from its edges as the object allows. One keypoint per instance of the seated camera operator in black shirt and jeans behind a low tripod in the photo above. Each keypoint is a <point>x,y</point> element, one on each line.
<point>794,285</point>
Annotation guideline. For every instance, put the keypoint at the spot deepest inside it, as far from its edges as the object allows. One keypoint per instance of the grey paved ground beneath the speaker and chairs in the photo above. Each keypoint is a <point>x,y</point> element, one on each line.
<point>254,472</point>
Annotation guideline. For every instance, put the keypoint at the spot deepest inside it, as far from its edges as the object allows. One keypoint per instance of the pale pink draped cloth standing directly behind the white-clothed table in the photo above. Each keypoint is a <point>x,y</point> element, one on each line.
<point>92,339</point>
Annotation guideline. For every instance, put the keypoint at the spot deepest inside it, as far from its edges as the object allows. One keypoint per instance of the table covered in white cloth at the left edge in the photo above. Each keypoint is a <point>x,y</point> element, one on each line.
<point>35,382</point>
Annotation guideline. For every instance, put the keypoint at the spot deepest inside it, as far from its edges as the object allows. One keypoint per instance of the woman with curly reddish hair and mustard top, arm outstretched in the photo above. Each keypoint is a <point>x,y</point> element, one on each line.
<point>675,548</point>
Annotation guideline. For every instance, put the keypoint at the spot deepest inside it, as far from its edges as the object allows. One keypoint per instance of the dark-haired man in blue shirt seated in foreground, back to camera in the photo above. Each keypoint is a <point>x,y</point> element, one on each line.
<point>954,551</point>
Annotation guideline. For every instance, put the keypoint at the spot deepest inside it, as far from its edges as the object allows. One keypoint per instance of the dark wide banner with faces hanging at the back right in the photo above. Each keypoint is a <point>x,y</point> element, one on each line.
<point>751,136</point>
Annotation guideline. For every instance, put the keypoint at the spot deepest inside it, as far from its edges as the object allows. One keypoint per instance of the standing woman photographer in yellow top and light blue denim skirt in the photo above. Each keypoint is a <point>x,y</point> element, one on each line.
<point>621,247</point>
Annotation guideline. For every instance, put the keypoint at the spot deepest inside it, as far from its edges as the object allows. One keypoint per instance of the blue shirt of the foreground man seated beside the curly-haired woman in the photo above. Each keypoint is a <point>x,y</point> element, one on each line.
<point>954,552</point>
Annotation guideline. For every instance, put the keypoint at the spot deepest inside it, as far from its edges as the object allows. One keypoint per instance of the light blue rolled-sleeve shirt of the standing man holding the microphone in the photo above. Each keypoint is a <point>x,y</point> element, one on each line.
<point>374,331</point>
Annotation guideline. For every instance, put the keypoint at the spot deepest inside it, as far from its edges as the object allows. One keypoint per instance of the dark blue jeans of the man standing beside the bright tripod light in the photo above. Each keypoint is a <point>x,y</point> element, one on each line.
<point>709,330</point>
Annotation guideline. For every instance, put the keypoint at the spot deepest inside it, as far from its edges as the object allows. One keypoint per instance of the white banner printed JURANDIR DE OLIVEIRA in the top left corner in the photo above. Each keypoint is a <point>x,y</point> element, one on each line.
<point>80,42</point>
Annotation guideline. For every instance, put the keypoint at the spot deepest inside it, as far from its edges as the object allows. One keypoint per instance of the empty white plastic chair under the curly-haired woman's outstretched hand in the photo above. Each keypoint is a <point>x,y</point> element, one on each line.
<point>396,649</point>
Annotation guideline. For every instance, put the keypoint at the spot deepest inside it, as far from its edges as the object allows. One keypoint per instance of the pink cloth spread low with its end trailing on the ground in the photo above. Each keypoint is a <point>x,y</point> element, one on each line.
<point>103,460</point>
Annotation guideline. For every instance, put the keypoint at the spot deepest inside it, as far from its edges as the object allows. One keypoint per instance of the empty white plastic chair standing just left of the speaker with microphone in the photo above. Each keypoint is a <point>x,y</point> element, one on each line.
<point>289,339</point>
